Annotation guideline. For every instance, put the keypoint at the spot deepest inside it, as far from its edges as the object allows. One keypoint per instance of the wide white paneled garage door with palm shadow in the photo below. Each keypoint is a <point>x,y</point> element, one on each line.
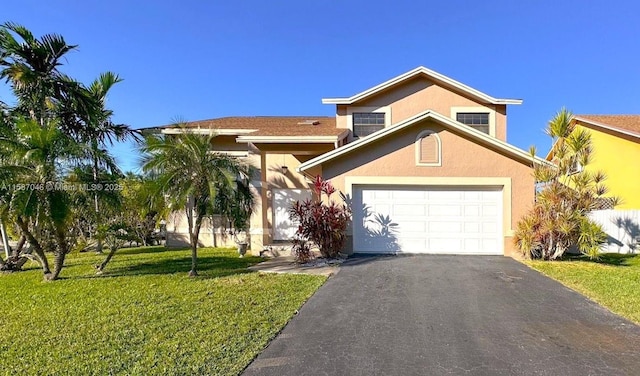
<point>394,219</point>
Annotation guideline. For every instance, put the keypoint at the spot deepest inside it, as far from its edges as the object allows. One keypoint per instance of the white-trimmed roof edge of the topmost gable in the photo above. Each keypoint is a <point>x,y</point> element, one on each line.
<point>422,71</point>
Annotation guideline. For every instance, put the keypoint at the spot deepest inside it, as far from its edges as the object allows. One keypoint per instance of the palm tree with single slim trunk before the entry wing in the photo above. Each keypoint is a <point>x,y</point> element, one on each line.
<point>191,176</point>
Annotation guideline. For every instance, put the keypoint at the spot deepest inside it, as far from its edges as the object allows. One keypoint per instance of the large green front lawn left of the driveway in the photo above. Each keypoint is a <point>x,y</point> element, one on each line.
<point>144,315</point>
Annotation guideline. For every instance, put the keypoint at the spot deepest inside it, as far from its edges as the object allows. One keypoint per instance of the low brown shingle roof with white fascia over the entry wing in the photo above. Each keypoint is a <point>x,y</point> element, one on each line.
<point>265,126</point>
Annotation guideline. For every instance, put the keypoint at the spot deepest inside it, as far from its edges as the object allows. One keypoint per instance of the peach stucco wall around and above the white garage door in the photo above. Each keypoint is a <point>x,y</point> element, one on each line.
<point>394,157</point>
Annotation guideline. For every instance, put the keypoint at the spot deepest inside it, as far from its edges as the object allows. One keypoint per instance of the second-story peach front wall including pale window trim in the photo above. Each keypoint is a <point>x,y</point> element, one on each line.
<point>417,95</point>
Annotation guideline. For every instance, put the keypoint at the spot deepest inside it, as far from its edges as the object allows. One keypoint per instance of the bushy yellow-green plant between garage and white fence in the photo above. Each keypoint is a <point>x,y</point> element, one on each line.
<point>559,218</point>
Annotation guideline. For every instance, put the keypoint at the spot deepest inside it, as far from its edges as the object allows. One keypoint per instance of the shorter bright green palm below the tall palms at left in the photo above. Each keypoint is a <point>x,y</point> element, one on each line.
<point>34,158</point>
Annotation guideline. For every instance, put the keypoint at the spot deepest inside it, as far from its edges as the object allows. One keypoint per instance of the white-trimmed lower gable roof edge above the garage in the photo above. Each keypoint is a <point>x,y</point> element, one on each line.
<point>510,150</point>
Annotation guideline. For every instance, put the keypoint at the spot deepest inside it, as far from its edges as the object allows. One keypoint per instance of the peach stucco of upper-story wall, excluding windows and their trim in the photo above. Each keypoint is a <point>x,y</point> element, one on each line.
<point>418,95</point>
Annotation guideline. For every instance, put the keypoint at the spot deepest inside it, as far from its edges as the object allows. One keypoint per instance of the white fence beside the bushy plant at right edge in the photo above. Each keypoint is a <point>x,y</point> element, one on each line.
<point>622,228</point>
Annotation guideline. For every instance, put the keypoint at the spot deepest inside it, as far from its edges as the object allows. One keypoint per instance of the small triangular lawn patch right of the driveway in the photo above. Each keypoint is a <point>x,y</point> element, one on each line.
<point>613,282</point>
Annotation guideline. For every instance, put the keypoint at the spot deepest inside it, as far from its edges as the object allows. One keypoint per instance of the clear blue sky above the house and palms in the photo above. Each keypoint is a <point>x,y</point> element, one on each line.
<point>192,60</point>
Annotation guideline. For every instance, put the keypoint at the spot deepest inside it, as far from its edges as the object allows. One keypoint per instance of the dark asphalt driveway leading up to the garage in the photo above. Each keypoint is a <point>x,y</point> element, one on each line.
<point>439,315</point>
